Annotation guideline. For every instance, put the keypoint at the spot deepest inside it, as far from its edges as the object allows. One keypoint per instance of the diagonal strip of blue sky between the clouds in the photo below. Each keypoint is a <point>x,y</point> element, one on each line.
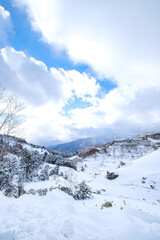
<point>23,38</point>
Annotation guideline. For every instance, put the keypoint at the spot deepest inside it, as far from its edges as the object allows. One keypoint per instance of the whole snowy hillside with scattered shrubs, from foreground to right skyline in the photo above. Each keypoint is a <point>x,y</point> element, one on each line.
<point>120,198</point>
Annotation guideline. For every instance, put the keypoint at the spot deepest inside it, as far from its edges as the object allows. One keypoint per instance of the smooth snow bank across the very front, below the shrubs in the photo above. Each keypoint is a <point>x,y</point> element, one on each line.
<point>58,216</point>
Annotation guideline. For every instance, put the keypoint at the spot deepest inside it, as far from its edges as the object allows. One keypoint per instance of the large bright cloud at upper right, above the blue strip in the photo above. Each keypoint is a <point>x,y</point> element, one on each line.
<point>118,40</point>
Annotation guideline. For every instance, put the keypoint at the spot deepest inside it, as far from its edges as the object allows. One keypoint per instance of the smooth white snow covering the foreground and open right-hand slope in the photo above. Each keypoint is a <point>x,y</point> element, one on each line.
<point>135,211</point>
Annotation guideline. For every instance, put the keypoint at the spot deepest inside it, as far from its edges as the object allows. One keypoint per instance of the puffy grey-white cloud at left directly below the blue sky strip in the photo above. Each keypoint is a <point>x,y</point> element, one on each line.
<point>38,85</point>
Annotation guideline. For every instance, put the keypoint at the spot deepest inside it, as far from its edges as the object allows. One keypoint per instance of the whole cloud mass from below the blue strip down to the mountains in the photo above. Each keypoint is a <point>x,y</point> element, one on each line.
<point>47,91</point>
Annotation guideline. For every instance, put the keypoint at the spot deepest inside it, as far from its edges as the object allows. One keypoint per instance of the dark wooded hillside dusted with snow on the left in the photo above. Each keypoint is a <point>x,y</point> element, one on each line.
<point>23,162</point>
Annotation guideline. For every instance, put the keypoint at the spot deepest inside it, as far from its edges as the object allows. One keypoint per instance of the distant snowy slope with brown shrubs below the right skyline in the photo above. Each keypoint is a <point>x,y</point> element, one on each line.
<point>131,148</point>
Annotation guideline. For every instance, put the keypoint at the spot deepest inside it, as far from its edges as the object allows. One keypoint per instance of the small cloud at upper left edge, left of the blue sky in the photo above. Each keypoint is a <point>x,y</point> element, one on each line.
<point>5,24</point>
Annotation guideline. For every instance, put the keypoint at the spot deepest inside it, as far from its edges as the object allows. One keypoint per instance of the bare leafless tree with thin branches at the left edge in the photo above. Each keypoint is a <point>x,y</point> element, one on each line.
<point>10,117</point>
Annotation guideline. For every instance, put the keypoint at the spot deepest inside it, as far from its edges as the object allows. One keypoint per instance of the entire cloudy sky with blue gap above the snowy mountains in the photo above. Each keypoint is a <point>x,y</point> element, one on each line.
<point>82,67</point>
